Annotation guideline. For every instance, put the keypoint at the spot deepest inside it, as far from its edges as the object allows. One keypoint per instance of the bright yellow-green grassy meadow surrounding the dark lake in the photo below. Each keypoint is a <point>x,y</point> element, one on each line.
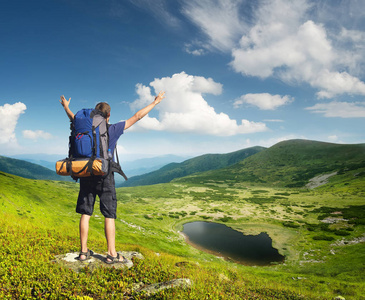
<point>323,260</point>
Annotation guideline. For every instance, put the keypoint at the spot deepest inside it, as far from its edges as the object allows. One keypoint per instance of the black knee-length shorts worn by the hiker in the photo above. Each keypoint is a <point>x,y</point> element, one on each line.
<point>105,189</point>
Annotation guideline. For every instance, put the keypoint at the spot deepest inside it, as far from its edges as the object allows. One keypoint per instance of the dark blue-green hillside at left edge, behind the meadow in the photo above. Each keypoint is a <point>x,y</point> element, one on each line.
<point>28,170</point>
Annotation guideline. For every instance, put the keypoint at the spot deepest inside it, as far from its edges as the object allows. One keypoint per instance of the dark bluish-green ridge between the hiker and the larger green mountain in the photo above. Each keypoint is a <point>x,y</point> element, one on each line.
<point>194,165</point>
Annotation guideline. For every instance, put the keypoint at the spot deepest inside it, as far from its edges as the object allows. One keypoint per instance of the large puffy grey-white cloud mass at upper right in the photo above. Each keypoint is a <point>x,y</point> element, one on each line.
<point>299,53</point>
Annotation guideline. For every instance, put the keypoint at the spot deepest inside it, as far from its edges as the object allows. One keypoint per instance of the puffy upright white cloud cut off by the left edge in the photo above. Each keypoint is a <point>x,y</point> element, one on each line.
<point>9,115</point>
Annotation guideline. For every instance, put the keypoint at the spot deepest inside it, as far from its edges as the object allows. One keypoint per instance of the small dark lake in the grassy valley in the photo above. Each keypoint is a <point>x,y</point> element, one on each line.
<point>221,240</point>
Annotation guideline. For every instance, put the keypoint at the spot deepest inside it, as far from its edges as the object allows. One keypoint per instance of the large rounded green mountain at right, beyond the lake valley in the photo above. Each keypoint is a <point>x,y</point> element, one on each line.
<point>290,164</point>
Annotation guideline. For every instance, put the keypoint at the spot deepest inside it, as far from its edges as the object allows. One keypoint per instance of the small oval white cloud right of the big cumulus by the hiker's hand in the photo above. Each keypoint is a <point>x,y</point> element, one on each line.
<point>263,101</point>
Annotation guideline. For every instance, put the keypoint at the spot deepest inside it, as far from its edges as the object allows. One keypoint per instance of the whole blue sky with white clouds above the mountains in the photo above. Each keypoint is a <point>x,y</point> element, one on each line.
<point>236,73</point>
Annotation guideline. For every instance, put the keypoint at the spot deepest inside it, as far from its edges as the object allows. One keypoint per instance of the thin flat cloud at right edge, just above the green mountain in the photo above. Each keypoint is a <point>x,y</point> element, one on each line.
<point>339,109</point>
